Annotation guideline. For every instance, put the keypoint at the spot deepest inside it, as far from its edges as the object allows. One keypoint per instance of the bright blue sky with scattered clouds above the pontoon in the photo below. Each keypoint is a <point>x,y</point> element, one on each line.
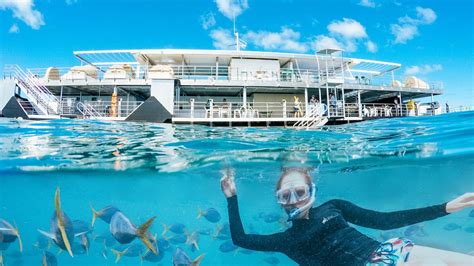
<point>431,39</point>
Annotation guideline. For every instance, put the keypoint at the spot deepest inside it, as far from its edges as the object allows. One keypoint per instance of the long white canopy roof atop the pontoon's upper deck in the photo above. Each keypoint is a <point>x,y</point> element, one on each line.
<point>193,57</point>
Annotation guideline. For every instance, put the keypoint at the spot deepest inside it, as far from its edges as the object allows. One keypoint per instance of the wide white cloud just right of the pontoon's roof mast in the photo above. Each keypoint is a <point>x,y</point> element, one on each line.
<point>286,40</point>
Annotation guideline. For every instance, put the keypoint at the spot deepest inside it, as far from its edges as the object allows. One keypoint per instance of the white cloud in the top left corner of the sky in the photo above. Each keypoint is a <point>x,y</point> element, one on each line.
<point>24,11</point>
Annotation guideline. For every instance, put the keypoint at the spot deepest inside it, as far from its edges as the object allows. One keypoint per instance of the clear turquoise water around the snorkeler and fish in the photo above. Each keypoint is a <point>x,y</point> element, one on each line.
<point>170,171</point>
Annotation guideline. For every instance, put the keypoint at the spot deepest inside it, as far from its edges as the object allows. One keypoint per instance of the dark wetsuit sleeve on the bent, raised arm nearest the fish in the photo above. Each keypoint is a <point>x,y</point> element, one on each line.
<point>273,242</point>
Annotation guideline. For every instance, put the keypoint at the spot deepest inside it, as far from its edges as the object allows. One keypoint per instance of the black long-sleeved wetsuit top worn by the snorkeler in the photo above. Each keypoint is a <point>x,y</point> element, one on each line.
<point>326,238</point>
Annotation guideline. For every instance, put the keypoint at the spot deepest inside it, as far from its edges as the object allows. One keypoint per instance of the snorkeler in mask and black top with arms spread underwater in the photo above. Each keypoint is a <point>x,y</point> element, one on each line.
<point>323,236</point>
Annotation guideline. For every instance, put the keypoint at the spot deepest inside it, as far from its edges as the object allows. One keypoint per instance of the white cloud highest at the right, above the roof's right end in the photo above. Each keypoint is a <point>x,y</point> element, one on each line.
<point>407,28</point>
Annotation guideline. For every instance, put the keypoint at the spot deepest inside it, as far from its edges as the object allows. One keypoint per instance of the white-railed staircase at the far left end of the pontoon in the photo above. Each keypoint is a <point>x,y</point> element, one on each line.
<point>37,93</point>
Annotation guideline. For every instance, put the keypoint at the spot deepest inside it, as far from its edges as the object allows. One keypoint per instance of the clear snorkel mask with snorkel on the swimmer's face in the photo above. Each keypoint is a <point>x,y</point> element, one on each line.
<point>297,193</point>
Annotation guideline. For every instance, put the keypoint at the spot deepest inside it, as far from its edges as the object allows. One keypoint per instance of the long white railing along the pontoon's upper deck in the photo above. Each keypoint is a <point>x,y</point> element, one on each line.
<point>307,77</point>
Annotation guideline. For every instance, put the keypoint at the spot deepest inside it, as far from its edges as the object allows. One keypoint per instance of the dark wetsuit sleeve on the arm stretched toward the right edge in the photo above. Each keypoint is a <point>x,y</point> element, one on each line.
<point>387,220</point>
